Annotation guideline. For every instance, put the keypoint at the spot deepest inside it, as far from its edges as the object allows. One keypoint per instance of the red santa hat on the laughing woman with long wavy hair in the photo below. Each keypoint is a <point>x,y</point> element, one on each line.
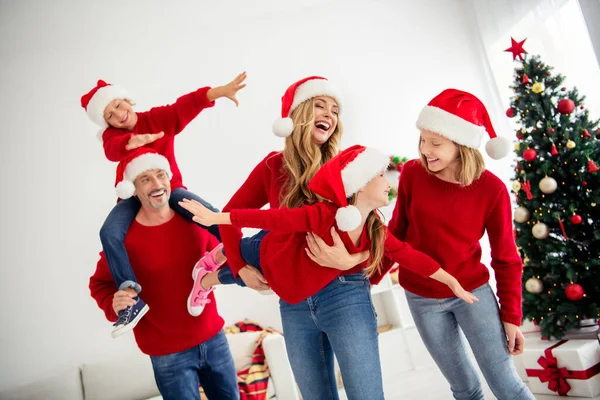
<point>297,94</point>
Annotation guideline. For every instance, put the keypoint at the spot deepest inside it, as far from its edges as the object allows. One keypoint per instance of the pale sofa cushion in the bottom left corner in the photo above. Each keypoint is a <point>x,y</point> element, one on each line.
<point>62,386</point>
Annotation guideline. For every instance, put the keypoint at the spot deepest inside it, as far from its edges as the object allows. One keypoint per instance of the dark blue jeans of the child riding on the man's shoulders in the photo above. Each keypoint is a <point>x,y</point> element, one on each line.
<point>114,230</point>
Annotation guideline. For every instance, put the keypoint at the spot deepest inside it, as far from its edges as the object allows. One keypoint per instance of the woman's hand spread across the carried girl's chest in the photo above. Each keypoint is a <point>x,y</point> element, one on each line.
<point>335,256</point>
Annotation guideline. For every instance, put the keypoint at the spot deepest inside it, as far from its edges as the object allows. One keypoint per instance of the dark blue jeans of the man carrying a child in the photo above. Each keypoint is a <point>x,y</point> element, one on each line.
<point>209,364</point>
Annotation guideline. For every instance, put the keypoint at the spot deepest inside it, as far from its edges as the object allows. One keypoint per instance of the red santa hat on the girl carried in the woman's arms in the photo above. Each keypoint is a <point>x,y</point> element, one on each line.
<point>343,176</point>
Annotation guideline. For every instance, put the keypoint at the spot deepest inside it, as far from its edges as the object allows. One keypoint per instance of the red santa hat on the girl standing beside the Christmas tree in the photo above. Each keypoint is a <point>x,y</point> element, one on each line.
<point>462,118</point>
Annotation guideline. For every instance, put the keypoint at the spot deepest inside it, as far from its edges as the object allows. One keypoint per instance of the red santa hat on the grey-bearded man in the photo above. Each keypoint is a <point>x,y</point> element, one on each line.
<point>140,161</point>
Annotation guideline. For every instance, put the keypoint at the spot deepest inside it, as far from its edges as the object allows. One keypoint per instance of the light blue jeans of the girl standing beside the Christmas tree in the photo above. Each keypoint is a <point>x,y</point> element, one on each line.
<point>439,322</point>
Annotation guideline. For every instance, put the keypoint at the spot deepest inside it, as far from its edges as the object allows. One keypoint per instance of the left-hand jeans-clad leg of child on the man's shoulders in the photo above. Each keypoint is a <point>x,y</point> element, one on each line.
<point>112,236</point>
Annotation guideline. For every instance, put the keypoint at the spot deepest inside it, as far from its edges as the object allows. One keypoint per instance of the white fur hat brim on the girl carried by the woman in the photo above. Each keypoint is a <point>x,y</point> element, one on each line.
<point>363,169</point>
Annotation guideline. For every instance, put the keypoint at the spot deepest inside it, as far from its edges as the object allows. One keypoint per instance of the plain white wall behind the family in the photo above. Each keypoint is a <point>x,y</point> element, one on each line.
<point>388,57</point>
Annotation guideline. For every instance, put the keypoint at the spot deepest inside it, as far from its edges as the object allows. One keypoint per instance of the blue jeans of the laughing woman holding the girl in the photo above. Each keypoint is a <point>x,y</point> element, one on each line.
<point>339,319</point>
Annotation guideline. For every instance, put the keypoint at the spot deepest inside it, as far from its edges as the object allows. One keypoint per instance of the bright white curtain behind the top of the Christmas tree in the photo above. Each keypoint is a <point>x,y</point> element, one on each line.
<point>555,29</point>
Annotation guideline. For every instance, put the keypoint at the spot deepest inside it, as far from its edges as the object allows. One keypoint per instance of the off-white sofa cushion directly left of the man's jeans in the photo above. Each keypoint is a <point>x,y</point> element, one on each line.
<point>128,377</point>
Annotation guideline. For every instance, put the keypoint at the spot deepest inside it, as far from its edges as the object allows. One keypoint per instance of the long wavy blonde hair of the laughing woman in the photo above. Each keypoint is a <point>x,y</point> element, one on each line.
<point>302,157</point>
